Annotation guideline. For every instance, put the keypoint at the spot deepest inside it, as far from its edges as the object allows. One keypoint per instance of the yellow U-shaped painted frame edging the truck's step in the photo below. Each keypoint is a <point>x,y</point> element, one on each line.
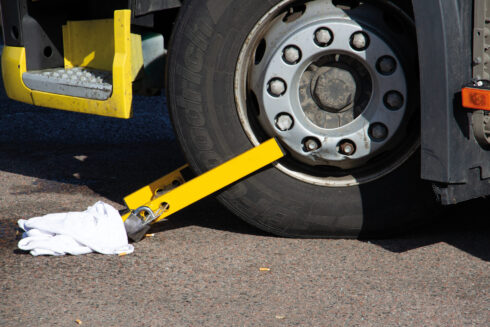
<point>118,105</point>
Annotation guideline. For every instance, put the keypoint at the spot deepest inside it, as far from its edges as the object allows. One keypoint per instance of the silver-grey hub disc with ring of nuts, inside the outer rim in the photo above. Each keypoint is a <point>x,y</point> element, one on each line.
<point>332,90</point>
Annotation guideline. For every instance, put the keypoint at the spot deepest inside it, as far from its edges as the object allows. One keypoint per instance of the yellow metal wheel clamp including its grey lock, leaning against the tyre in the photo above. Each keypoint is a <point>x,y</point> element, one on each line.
<point>172,193</point>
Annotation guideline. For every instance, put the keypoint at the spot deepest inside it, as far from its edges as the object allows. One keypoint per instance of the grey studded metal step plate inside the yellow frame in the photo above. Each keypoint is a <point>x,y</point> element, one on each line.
<point>76,82</point>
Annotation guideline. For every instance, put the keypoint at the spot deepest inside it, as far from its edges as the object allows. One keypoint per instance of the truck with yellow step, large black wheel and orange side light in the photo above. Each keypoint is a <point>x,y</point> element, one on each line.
<point>380,106</point>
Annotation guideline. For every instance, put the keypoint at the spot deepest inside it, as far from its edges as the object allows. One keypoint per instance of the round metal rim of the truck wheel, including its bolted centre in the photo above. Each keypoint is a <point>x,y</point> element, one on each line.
<point>330,88</point>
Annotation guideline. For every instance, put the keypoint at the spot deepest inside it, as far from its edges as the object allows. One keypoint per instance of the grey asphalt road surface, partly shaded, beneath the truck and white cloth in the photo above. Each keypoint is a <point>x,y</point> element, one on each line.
<point>202,267</point>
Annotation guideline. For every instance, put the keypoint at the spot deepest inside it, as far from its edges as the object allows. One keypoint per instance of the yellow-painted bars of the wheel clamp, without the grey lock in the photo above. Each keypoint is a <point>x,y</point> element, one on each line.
<point>205,184</point>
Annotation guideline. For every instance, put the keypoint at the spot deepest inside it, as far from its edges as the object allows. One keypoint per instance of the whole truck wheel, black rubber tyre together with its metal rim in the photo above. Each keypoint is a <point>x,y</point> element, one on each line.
<point>334,81</point>
